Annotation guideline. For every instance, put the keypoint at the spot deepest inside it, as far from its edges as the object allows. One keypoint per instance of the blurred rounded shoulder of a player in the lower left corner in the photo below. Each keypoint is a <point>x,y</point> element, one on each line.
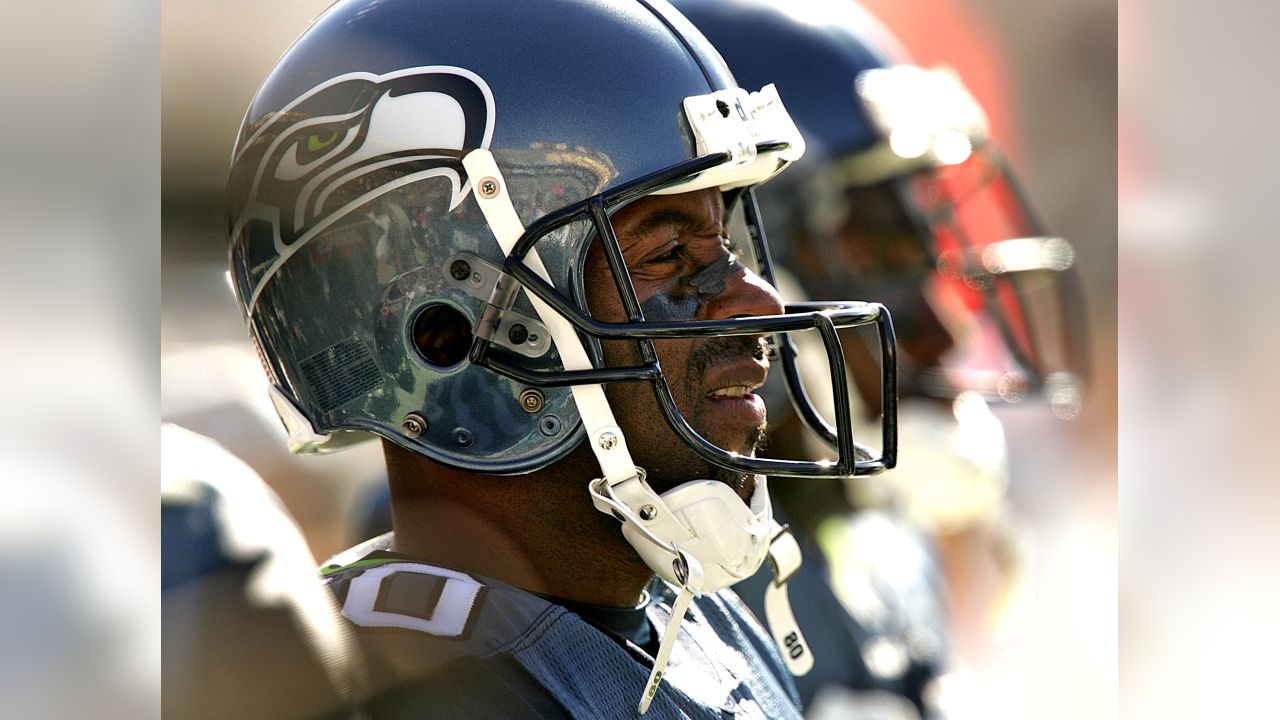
<point>249,630</point>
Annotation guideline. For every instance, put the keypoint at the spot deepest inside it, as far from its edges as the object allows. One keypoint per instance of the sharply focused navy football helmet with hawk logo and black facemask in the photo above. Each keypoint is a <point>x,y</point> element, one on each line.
<point>365,258</point>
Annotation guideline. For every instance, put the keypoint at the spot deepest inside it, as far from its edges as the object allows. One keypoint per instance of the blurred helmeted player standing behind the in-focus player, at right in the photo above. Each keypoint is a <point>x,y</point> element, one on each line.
<point>903,198</point>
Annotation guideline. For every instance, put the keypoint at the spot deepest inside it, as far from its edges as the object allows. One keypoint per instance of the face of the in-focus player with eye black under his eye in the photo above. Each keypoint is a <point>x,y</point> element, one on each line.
<point>683,268</point>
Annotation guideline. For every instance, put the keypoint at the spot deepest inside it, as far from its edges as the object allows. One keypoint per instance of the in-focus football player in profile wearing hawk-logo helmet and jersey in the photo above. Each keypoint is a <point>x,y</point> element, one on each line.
<point>499,238</point>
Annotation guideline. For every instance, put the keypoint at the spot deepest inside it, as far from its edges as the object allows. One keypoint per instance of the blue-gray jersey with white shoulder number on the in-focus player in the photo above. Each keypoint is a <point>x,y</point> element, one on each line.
<point>445,644</point>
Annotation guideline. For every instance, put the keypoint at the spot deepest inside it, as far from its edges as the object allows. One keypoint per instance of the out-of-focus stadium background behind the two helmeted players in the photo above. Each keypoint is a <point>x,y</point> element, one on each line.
<point>1046,71</point>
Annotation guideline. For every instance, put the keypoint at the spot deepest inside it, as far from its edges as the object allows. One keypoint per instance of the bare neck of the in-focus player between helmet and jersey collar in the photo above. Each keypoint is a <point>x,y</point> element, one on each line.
<point>538,532</point>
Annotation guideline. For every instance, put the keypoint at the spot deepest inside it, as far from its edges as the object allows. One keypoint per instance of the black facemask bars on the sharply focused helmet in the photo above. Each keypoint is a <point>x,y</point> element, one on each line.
<point>824,317</point>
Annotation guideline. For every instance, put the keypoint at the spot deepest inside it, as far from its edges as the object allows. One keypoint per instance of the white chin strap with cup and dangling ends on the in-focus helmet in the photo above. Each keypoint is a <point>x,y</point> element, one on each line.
<point>700,536</point>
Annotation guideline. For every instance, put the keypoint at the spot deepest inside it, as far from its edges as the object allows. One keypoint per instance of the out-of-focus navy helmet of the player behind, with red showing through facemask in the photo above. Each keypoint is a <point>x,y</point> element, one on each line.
<point>904,199</point>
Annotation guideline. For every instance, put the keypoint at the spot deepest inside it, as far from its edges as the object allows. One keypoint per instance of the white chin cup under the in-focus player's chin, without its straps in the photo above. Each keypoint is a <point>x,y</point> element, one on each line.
<point>721,539</point>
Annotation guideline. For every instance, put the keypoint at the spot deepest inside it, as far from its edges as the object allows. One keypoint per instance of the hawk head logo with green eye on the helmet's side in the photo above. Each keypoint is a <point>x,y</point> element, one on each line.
<point>330,152</point>
